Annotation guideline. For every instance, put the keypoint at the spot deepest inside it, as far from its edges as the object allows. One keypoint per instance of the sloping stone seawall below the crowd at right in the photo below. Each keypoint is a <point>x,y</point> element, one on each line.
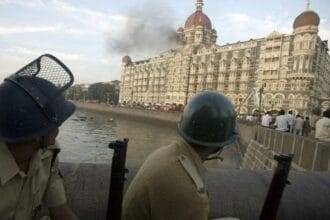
<point>309,153</point>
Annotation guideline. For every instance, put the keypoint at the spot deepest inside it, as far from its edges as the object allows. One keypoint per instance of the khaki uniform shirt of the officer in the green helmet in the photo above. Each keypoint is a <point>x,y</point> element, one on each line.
<point>168,186</point>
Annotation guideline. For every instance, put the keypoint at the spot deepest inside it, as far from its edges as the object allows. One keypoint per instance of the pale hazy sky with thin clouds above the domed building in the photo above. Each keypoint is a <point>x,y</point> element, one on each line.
<point>89,35</point>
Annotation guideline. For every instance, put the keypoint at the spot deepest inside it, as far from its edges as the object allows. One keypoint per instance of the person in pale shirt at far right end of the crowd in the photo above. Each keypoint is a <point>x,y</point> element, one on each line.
<point>322,131</point>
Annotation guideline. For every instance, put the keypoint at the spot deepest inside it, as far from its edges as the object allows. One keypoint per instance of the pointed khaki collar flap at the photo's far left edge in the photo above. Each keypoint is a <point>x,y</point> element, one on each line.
<point>8,165</point>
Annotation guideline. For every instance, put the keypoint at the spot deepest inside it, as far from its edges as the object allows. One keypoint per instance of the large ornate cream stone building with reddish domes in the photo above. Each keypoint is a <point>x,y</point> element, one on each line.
<point>295,68</point>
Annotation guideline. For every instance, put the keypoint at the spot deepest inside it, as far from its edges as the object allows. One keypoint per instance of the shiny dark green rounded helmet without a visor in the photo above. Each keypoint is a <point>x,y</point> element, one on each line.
<point>208,120</point>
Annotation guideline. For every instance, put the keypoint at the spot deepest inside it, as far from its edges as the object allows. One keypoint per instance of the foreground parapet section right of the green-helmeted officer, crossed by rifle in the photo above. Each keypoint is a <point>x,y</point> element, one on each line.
<point>241,193</point>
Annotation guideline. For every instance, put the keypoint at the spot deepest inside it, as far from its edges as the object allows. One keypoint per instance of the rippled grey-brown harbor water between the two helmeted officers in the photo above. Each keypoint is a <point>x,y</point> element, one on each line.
<point>85,136</point>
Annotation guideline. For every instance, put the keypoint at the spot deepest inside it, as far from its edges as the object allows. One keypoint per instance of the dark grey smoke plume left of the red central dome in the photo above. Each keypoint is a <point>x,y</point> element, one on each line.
<point>148,30</point>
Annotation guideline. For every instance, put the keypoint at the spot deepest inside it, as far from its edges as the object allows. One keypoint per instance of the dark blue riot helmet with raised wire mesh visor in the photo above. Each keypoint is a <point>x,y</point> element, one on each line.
<point>32,102</point>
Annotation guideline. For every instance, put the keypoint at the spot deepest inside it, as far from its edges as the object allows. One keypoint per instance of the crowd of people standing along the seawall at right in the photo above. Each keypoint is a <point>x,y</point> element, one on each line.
<point>317,126</point>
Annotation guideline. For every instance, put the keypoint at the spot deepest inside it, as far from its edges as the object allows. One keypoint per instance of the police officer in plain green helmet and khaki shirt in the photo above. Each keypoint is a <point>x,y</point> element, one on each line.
<point>171,182</point>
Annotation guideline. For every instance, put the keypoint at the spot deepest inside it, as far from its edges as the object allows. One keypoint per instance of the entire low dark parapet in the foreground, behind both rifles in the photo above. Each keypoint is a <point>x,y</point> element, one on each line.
<point>236,193</point>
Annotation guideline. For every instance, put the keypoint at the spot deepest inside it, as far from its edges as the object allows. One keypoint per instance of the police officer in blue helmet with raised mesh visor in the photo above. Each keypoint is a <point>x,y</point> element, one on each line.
<point>31,110</point>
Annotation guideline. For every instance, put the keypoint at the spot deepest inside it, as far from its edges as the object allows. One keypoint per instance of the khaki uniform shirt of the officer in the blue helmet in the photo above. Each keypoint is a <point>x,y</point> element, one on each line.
<point>22,194</point>
